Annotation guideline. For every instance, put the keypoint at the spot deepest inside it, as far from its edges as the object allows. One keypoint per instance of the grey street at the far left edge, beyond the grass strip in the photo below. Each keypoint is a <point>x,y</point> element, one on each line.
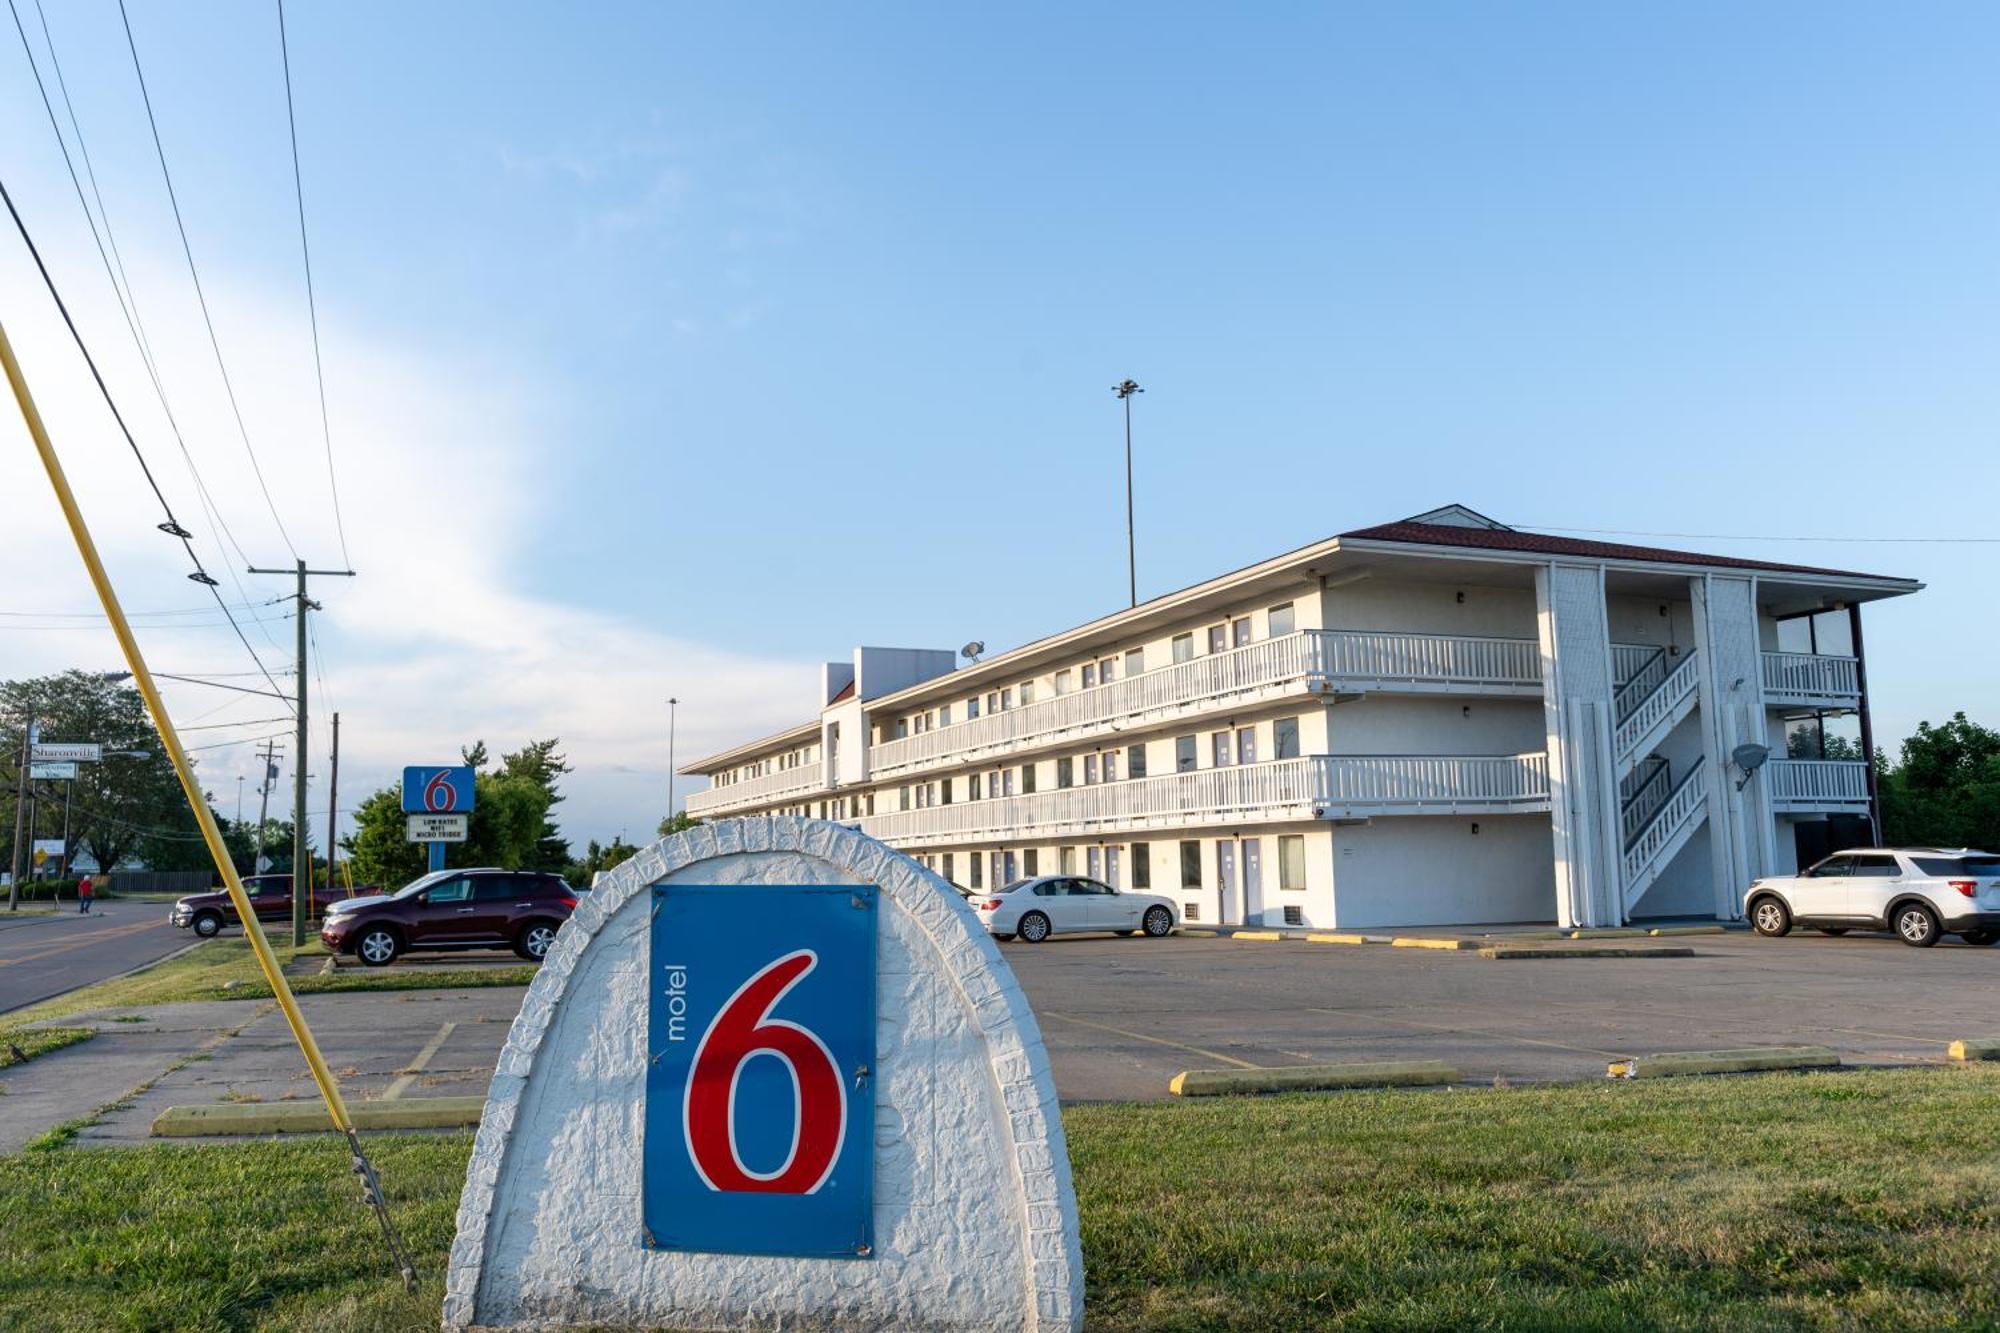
<point>45,956</point>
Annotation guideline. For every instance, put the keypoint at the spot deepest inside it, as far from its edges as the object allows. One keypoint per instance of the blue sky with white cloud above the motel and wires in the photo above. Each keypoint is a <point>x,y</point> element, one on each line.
<point>701,345</point>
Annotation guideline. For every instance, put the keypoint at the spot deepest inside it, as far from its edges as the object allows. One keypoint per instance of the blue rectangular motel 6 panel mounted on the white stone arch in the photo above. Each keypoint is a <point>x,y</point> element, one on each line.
<point>761,1080</point>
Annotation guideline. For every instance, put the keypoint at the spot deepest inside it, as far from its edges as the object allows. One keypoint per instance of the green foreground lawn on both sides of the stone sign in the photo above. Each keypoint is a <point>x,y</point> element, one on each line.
<point>1765,1202</point>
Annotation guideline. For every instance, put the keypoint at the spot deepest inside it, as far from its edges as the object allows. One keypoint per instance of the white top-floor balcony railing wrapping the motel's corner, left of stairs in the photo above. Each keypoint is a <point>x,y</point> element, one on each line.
<point>1305,655</point>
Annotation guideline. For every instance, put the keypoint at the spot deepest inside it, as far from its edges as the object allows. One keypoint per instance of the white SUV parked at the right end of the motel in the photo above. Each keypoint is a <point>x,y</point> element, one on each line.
<point>1915,892</point>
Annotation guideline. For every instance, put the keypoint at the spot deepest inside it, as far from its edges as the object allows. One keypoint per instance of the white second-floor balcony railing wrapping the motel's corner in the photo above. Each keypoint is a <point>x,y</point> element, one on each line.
<point>1315,788</point>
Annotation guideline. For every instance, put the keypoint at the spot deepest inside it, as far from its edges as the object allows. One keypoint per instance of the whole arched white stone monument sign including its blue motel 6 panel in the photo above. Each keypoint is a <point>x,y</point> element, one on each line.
<point>771,1076</point>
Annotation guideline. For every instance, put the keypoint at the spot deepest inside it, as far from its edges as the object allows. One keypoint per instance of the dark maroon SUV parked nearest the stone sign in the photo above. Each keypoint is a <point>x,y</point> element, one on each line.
<point>453,910</point>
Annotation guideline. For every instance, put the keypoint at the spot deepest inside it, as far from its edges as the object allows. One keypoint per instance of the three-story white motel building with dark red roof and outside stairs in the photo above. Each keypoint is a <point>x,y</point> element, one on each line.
<point>1437,722</point>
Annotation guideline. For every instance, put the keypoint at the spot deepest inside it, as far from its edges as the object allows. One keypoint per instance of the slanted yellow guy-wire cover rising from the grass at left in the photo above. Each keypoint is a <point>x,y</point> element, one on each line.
<point>143,678</point>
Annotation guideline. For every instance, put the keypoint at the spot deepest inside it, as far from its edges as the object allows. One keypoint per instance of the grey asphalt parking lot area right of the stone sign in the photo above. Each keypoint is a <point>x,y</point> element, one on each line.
<point>1123,1016</point>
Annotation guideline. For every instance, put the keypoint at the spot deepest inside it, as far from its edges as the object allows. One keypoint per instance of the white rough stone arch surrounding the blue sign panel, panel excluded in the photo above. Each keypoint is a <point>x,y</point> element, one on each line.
<point>975,1218</point>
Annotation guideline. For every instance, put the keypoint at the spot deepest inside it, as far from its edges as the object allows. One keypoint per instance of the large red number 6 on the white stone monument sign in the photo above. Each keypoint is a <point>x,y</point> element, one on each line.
<point>819,1108</point>
